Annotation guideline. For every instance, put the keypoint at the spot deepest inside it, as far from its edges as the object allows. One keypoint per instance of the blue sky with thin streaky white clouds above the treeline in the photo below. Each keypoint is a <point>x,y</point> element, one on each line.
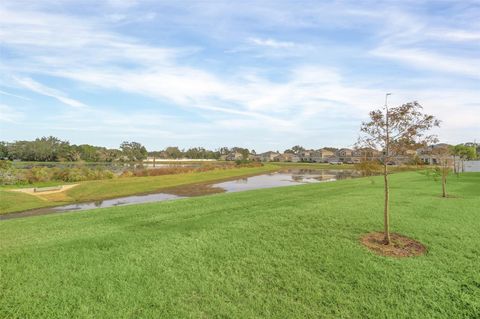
<point>265,75</point>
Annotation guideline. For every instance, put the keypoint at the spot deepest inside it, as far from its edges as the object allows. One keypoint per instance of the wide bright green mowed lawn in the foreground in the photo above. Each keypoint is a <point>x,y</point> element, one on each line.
<point>290,252</point>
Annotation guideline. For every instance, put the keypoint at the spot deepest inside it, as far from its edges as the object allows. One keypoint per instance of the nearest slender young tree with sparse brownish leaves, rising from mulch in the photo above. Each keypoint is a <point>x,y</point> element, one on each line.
<point>394,131</point>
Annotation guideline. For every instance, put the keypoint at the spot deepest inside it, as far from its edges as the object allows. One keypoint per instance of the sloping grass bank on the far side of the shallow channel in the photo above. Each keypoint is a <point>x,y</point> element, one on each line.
<point>104,189</point>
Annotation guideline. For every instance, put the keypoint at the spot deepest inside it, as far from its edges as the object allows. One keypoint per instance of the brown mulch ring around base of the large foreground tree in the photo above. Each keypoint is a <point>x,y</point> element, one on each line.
<point>400,246</point>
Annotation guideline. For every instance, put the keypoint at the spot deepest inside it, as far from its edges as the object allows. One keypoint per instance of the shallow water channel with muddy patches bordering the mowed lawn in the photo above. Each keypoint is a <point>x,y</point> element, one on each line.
<point>276,179</point>
